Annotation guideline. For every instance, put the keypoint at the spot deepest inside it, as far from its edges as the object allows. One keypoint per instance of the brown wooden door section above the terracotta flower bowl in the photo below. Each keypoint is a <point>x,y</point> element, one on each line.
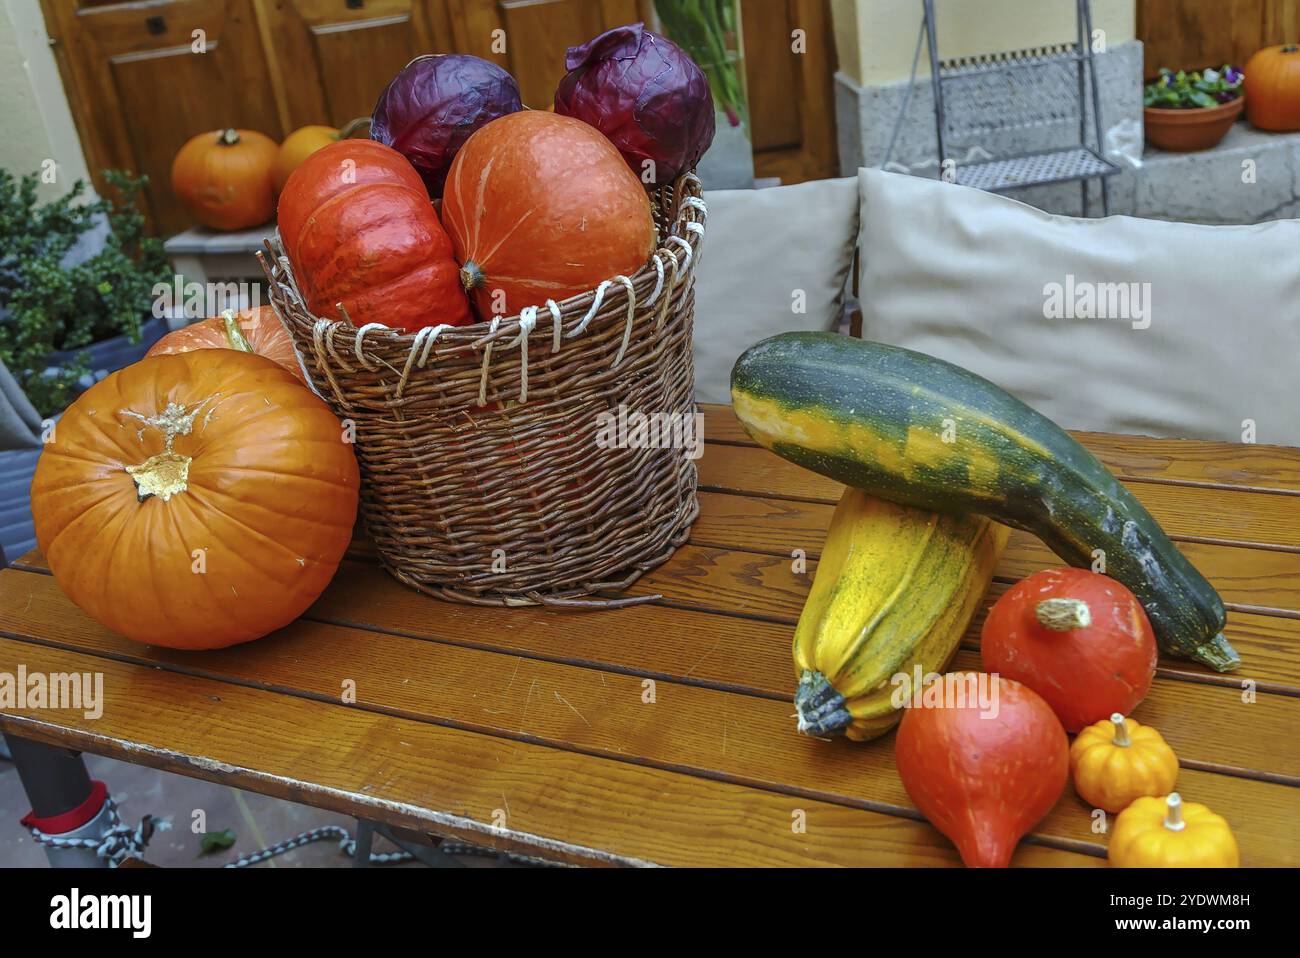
<point>1191,36</point>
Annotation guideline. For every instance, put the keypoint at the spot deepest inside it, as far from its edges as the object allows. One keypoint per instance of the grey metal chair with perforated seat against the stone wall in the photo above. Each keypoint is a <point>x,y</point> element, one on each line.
<point>990,94</point>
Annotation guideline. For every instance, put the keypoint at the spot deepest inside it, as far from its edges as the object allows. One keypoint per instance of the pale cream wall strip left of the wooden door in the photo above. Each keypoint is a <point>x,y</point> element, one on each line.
<point>34,114</point>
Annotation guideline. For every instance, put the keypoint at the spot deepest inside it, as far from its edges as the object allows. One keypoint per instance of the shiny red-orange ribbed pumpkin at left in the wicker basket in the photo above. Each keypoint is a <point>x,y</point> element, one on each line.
<point>361,231</point>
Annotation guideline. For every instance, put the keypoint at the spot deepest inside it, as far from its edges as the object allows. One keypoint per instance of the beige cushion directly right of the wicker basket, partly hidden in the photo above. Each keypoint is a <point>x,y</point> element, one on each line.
<point>774,261</point>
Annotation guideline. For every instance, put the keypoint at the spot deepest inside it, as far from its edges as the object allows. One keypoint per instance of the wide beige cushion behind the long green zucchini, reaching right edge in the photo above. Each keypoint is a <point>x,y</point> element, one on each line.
<point>1210,336</point>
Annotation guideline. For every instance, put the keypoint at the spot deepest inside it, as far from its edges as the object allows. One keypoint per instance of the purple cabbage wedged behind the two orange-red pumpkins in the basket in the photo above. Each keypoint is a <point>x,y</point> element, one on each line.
<point>432,107</point>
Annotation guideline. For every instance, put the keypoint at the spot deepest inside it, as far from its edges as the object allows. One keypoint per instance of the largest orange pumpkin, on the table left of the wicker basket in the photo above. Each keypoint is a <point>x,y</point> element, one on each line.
<point>196,501</point>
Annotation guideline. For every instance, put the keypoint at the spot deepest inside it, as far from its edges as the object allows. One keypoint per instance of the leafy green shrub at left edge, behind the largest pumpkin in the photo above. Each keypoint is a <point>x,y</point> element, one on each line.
<point>46,305</point>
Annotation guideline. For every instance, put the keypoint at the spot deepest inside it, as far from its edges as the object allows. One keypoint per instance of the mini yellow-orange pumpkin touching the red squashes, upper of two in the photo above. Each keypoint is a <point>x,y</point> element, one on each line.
<point>1117,760</point>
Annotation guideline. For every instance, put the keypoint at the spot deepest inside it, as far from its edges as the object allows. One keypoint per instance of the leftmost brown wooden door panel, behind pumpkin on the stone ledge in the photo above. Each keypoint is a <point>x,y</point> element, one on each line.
<point>145,77</point>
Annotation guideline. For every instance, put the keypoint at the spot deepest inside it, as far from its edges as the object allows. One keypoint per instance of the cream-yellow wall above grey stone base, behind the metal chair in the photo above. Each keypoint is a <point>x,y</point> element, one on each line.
<point>877,38</point>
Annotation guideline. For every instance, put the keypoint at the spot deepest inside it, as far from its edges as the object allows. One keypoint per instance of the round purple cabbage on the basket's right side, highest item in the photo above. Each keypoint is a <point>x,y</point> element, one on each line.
<point>645,96</point>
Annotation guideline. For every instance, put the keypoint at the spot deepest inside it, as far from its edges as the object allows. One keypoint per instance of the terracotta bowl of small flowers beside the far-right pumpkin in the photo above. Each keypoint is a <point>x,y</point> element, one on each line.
<point>1185,112</point>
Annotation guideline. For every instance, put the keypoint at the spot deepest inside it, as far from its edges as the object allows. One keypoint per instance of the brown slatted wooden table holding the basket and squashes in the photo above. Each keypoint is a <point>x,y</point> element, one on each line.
<point>665,734</point>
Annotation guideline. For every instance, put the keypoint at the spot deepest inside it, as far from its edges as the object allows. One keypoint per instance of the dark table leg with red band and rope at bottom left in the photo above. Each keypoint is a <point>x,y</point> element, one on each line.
<point>58,784</point>
